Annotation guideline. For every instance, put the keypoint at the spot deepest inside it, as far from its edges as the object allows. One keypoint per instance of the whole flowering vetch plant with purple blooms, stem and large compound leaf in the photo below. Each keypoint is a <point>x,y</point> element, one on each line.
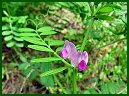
<point>78,59</point>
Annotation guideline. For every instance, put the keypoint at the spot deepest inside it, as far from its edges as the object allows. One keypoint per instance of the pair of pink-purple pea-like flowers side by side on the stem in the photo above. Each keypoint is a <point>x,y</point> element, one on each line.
<point>78,59</point>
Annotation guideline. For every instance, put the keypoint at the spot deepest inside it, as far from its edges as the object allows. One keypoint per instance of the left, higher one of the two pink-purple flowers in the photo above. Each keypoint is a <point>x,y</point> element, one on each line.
<point>68,51</point>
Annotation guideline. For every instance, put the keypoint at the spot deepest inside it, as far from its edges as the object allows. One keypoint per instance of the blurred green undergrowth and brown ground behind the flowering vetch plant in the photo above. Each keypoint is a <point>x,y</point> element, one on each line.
<point>106,46</point>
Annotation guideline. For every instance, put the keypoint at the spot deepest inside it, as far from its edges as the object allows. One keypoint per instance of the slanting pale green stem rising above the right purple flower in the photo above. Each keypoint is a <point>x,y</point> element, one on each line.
<point>86,35</point>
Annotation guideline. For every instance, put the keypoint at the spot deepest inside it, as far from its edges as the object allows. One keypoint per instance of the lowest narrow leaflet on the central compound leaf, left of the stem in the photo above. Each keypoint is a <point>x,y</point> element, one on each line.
<point>54,71</point>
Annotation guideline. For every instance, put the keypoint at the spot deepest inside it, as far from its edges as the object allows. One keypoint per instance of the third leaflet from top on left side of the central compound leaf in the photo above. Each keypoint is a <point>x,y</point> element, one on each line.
<point>34,40</point>
